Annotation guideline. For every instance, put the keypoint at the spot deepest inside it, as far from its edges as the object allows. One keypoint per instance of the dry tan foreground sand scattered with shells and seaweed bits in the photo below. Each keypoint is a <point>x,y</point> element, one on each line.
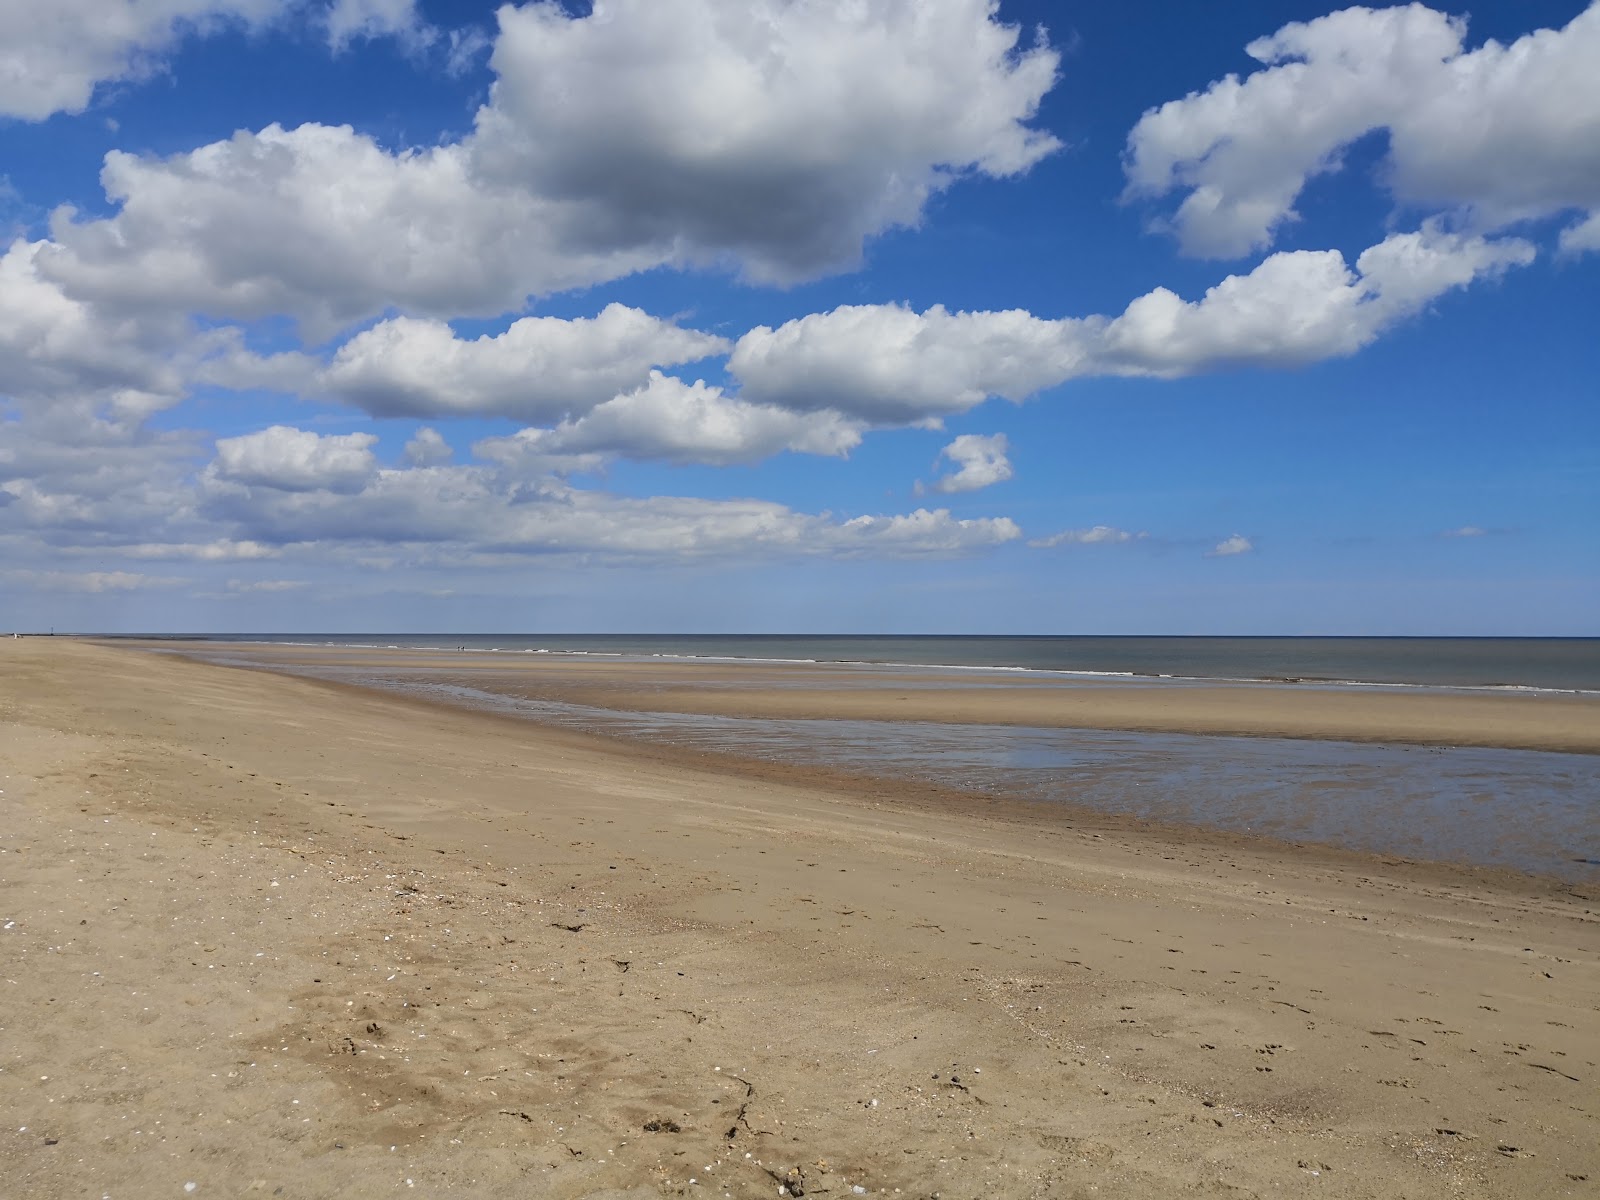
<point>270,935</point>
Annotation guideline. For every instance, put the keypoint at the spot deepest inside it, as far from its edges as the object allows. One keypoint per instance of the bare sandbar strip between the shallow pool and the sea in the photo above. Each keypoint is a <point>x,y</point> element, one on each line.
<point>1415,716</point>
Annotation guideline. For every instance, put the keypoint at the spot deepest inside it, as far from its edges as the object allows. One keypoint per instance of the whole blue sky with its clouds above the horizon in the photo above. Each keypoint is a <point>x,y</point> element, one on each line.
<point>801,316</point>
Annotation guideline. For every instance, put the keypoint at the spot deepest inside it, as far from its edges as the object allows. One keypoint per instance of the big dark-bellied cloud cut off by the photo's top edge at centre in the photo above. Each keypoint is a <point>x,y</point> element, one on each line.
<point>783,132</point>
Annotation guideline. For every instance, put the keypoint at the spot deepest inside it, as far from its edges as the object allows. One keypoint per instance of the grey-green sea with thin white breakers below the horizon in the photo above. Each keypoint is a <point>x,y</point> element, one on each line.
<point>1551,665</point>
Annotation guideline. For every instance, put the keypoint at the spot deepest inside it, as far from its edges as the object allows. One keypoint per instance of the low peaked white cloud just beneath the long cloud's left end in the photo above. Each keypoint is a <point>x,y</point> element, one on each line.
<point>689,423</point>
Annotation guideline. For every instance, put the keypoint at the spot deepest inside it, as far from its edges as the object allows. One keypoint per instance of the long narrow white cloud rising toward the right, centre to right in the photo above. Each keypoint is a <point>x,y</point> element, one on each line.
<point>892,366</point>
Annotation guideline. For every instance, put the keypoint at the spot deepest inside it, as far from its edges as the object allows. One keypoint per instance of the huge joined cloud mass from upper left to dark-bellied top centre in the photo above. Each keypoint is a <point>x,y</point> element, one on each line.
<point>777,135</point>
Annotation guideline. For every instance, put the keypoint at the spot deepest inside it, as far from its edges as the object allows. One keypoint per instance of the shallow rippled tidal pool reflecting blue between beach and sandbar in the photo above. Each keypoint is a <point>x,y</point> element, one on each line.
<point>1527,810</point>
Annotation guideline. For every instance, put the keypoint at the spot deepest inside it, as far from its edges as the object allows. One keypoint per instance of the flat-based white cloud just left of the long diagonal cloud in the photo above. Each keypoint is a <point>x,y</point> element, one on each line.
<point>542,369</point>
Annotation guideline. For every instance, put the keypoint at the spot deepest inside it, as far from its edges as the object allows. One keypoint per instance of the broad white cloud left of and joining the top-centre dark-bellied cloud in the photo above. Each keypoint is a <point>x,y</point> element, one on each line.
<point>318,223</point>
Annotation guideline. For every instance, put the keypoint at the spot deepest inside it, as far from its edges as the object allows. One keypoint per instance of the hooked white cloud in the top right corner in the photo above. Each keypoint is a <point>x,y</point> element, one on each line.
<point>1498,134</point>
